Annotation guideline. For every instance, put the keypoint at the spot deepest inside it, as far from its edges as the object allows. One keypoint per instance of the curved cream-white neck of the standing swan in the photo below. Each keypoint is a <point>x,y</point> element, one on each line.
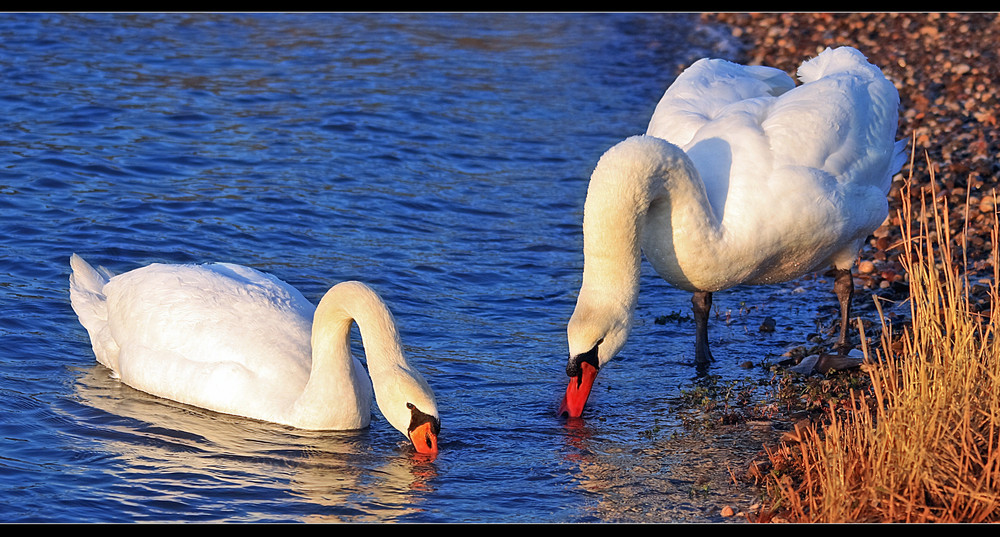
<point>639,179</point>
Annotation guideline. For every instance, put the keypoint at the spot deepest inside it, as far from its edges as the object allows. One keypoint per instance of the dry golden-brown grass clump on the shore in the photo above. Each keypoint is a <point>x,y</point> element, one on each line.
<point>923,444</point>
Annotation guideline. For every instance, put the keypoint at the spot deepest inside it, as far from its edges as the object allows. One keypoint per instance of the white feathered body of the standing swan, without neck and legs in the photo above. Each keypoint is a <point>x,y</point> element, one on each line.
<point>796,176</point>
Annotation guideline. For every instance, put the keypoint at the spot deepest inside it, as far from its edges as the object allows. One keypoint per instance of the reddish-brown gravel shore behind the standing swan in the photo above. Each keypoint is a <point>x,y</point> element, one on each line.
<point>945,67</point>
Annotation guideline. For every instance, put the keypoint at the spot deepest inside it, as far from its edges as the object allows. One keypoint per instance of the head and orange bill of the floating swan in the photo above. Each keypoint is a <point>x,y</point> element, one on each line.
<point>407,403</point>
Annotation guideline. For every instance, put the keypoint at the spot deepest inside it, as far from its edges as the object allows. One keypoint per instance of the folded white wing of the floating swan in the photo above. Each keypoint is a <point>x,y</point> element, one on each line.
<point>208,316</point>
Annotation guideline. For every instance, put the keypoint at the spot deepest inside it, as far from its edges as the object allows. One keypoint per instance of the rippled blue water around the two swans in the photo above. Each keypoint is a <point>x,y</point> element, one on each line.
<point>443,159</point>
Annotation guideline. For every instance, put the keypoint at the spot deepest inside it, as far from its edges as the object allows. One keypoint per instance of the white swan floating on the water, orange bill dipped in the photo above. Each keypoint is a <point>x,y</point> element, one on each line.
<point>231,339</point>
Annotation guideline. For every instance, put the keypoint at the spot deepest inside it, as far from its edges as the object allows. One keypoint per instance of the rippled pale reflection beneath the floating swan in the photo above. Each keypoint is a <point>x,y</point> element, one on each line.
<point>169,451</point>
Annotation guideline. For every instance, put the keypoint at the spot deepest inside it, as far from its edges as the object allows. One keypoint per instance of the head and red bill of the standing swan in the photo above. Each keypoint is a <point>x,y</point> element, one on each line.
<point>595,335</point>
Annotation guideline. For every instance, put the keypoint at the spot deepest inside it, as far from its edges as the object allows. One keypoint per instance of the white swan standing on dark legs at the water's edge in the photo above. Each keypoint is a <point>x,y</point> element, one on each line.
<point>741,178</point>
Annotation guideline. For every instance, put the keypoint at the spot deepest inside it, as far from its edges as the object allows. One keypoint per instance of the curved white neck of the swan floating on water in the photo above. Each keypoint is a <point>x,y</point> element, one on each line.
<point>335,380</point>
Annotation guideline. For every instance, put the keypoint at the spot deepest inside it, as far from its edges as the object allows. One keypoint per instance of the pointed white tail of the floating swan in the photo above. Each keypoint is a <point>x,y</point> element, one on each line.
<point>86,295</point>
